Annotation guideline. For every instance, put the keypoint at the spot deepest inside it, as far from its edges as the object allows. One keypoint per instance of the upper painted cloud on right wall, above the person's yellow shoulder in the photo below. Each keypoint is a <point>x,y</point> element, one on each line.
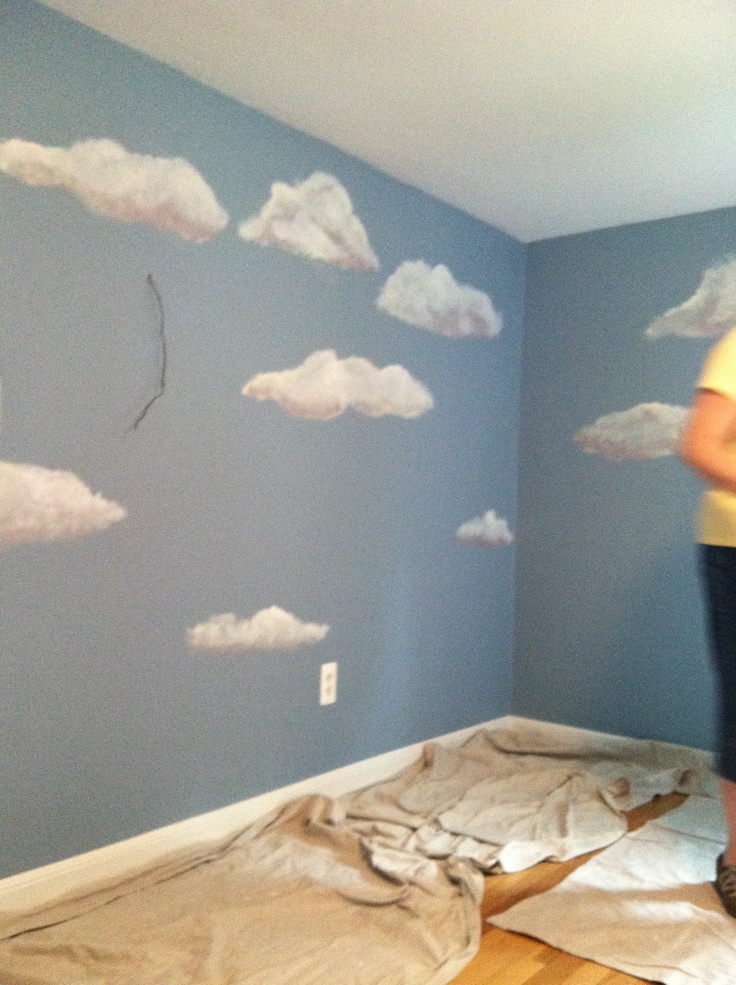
<point>710,312</point>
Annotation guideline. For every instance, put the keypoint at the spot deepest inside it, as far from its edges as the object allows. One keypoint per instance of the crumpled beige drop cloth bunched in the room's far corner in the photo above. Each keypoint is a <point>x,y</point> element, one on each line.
<point>510,797</point>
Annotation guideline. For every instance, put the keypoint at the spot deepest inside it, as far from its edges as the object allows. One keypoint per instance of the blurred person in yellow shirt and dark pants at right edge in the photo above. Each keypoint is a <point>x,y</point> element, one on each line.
<point>709,447</point>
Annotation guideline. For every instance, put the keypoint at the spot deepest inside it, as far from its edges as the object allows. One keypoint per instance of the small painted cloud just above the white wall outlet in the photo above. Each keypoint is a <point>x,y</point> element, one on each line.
<point>269,629</point>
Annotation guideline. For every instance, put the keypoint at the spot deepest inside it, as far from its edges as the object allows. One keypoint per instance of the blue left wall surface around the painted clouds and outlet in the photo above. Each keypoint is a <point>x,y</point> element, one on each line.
<point>109,724</point>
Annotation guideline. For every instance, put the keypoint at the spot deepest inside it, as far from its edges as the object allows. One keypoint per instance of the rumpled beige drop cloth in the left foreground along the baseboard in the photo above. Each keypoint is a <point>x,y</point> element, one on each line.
<point>293,900</point>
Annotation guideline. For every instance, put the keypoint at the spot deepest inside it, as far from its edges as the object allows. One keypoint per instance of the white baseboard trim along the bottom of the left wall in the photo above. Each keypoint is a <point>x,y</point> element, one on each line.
<point>49,883</point>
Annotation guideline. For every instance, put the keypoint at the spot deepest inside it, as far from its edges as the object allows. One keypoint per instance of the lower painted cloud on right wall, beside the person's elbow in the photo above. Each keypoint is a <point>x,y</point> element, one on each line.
<point>640,433</point>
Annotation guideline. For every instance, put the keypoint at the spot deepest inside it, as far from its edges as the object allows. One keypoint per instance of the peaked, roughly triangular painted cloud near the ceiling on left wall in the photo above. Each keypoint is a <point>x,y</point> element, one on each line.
<point>314,219</point>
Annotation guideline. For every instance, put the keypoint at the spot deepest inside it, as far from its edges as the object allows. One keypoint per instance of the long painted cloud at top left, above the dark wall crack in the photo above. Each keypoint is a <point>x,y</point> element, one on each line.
<point>168,193</point>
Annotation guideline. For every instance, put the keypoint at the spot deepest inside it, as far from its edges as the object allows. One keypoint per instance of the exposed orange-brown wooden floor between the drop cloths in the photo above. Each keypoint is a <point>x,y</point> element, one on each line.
<point>511,959</point>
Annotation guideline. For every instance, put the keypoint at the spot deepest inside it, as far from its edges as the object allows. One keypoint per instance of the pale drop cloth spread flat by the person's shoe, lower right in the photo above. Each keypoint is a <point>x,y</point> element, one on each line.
<point>645,906</point>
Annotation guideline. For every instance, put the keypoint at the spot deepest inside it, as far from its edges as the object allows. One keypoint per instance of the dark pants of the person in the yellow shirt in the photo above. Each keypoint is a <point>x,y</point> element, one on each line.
<point>718,569</point>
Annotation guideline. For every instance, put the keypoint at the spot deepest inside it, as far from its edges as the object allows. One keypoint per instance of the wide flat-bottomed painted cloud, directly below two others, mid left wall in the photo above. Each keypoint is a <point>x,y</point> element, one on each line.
<point>325,386</point>
